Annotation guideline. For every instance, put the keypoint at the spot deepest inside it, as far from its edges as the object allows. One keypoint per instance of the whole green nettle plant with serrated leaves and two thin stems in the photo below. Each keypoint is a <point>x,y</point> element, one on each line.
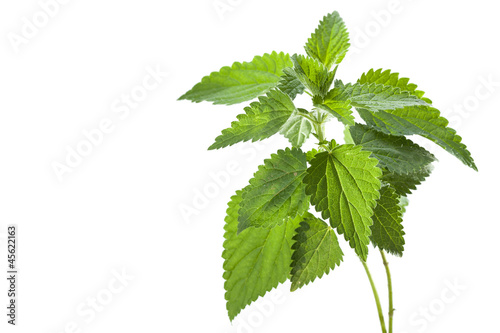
<point>360,187</point>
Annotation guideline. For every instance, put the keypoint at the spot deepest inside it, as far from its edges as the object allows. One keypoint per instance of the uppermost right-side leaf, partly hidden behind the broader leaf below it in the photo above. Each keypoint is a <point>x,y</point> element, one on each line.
<point>392,79</point>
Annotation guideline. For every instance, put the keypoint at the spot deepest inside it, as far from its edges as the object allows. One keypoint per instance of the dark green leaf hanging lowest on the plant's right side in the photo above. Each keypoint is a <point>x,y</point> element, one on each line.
<point>387,228</point>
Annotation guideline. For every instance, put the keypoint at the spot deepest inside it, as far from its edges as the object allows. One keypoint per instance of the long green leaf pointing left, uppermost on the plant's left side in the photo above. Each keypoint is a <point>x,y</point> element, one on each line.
<point>242,81</point>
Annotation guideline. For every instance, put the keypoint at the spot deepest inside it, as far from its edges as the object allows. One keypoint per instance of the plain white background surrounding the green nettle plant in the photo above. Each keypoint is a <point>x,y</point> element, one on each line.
<point>119,209</point>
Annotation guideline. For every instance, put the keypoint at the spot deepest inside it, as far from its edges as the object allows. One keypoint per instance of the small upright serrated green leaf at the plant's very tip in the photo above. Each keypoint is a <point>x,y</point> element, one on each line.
<point>330,42</point>
